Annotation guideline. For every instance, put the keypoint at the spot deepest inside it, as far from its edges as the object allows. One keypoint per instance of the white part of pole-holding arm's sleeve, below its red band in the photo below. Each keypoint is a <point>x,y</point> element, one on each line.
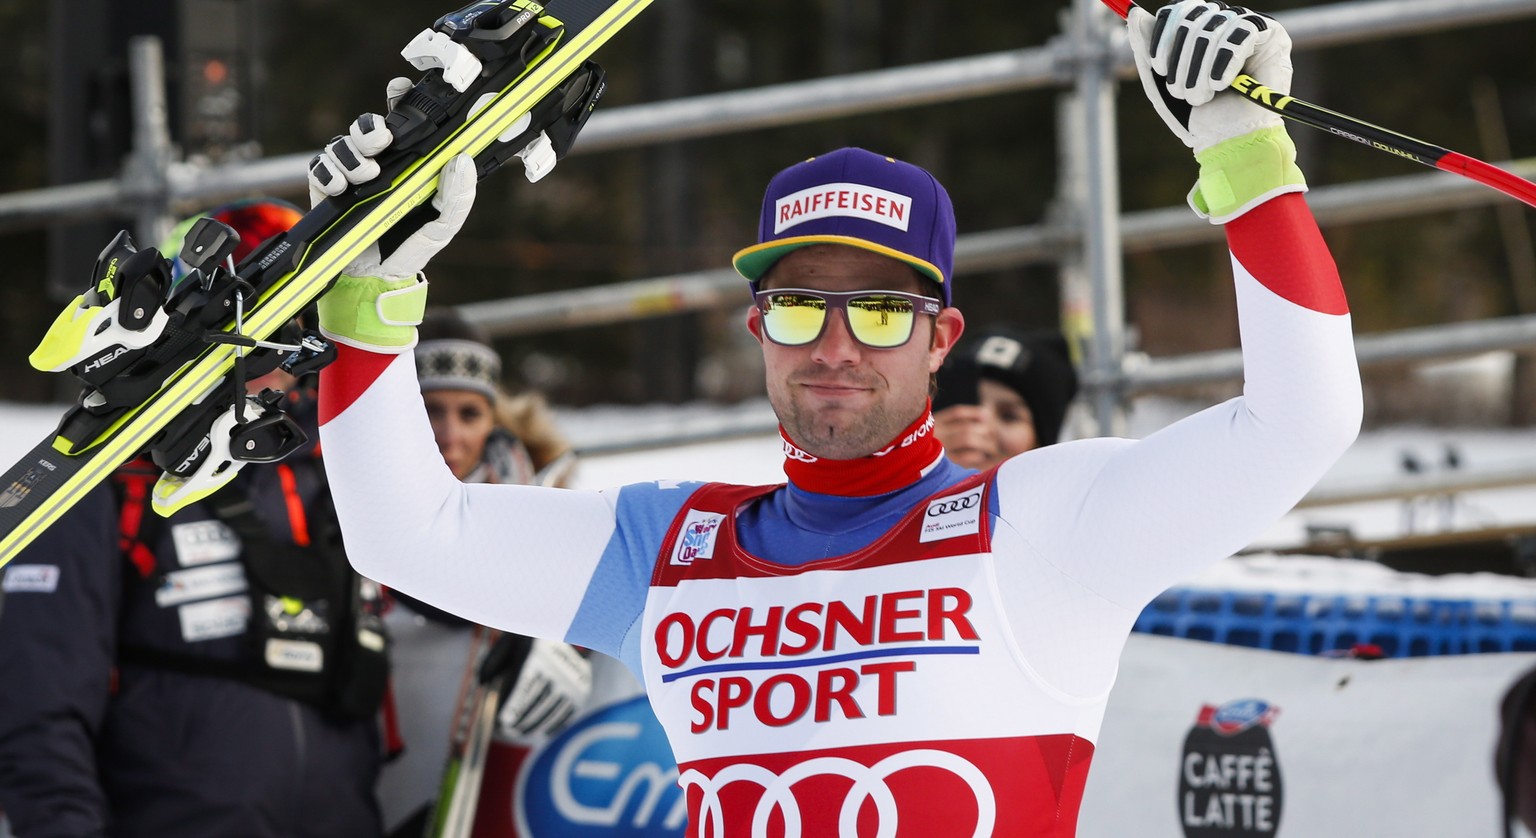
<point>1128,521</point>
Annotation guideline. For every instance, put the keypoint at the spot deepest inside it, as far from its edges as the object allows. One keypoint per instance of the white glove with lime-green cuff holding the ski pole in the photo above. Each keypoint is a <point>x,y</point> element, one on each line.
<point>1190,53</point>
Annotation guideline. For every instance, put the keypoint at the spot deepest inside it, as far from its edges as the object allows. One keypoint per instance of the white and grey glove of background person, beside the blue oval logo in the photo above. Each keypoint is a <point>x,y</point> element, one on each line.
<point>552,685</point>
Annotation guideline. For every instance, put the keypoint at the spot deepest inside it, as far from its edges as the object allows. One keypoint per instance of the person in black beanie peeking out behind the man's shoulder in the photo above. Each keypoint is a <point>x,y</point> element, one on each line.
<point>1002,394</point>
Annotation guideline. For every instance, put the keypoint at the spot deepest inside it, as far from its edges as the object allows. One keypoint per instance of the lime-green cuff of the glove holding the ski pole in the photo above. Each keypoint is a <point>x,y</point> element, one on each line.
<point>1243,173</point>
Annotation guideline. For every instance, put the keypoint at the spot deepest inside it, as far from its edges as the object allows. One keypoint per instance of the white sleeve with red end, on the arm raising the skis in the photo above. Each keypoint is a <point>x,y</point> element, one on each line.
<point>512,558</point>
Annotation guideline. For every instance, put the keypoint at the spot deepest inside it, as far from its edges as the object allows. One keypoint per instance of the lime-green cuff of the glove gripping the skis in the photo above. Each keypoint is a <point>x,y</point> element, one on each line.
<point>374,314</point>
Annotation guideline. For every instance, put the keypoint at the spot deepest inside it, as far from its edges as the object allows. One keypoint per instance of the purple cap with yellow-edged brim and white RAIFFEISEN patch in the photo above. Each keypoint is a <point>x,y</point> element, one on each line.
<point>862,200</point>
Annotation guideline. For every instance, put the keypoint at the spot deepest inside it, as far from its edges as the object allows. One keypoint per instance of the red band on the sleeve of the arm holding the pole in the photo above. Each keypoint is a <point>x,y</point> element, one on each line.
<point>1280,245</point>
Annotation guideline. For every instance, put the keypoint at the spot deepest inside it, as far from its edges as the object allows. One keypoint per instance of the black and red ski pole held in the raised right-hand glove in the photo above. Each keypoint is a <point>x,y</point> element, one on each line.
<point>1372,136</point>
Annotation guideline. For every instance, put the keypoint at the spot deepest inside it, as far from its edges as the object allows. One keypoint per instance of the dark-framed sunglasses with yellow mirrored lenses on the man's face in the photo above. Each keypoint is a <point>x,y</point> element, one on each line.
<point>878,320</point>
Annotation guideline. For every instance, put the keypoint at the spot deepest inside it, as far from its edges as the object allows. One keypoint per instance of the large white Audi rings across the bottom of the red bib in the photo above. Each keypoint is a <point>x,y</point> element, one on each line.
<point>869,784</point>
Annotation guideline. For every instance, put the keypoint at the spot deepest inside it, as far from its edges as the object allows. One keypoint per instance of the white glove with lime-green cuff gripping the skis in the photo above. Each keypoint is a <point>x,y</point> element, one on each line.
<point>377,303</point>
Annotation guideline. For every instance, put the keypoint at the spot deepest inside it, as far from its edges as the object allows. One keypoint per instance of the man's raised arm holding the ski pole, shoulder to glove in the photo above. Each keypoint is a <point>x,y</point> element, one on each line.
<point>1150,513</point>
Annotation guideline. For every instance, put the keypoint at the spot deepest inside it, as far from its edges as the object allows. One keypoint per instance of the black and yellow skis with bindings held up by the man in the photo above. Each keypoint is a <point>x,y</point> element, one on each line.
<point>505,79</point>
